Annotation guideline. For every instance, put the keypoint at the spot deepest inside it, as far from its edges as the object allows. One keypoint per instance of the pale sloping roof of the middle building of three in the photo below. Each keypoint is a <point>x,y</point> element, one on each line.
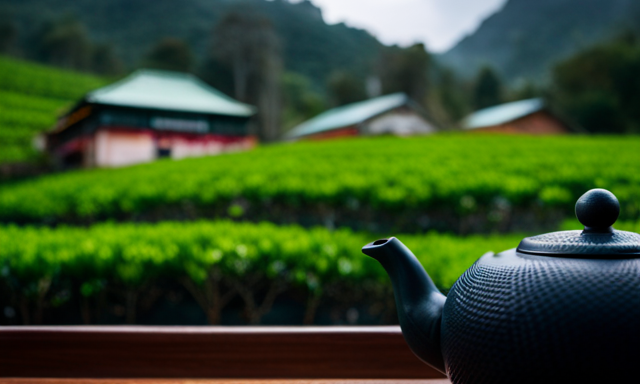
<point>349,114</point>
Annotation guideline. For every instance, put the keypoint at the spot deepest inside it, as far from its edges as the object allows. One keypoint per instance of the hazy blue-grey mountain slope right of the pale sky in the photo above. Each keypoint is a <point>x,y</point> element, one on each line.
<point>525,38</point>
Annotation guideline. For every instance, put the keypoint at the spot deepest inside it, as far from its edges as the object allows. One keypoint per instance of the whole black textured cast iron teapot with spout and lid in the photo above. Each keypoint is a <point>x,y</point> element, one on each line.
<point>562,307</point>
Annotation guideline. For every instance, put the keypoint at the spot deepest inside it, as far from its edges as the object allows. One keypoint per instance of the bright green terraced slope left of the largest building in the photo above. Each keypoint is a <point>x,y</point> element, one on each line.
<point>31,98</point>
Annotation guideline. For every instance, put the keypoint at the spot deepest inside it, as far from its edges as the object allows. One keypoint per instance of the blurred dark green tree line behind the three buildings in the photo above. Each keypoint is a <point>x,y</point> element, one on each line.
<point>597,87</point>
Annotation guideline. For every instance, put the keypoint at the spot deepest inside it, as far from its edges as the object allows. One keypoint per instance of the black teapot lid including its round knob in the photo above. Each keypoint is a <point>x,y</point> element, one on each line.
<point>597,210</point>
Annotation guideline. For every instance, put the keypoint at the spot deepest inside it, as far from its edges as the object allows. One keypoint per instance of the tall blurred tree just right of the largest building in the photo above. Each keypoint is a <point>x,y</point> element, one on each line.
<point>248,45</point>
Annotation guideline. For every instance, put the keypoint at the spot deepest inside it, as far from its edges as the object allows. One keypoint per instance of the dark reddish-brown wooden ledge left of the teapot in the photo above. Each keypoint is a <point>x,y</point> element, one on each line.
<point>130,352</point>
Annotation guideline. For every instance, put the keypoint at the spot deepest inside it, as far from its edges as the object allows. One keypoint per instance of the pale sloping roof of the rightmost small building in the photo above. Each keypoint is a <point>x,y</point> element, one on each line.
<point>502,113</point>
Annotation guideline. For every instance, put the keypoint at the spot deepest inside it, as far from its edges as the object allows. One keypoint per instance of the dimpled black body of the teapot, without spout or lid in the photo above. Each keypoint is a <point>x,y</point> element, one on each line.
<point>533,319</point>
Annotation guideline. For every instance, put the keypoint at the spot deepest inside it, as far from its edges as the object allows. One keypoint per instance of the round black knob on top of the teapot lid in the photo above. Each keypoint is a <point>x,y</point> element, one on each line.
<point>597,210</point>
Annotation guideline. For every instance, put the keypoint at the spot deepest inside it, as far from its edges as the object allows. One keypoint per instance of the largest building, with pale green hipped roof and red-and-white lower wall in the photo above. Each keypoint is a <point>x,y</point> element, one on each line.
<point>150,114</point>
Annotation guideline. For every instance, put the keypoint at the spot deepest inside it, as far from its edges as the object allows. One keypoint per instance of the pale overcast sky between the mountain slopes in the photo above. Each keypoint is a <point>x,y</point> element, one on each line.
<point>437,23</point>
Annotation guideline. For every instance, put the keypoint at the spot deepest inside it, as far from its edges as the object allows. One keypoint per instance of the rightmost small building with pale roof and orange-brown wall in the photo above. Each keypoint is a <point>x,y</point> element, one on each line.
<point>529,116</point>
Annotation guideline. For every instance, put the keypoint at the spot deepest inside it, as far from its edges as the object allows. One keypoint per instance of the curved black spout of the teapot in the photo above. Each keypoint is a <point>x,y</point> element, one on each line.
<point>418,300</point>
